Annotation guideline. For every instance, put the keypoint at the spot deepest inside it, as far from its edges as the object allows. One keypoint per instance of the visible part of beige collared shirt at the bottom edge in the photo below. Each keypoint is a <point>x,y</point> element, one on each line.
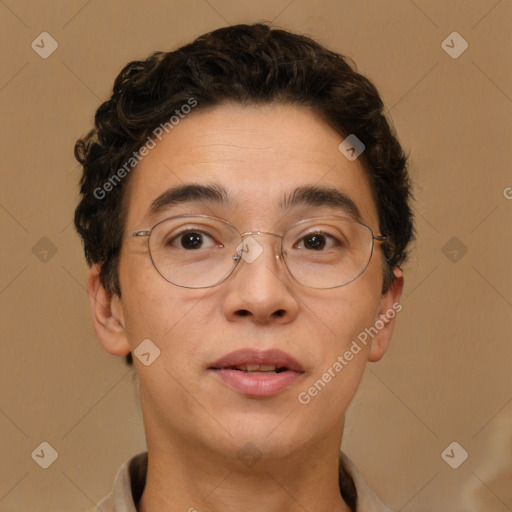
<point>131,478</point>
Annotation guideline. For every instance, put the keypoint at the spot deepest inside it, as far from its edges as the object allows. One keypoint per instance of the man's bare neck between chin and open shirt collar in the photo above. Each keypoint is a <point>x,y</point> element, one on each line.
<point>188,479</point>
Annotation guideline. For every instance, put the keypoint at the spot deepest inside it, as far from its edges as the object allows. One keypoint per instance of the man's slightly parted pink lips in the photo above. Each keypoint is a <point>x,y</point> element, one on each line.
<point>258,374</point>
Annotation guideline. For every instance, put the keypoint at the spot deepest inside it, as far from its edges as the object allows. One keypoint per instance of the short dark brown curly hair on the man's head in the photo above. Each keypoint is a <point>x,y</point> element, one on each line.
<point>248,64</point>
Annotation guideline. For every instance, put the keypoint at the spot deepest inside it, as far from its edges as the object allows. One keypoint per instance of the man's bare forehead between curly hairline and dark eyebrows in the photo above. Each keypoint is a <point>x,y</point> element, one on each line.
<point>258,155</point>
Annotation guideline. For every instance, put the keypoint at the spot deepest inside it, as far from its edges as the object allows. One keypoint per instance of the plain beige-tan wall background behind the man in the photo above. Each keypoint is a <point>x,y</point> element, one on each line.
<point>447,376</point>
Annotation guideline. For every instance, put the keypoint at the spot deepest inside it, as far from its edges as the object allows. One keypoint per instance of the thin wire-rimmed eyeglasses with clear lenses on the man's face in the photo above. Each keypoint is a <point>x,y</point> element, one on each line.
<point>201,251</point>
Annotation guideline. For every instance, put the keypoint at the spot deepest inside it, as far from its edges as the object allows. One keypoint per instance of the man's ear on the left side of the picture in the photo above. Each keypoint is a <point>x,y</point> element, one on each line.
<point>107,316</point>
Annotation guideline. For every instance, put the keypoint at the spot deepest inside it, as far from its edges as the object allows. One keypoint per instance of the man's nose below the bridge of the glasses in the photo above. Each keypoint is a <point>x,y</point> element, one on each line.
<point>260,289</point>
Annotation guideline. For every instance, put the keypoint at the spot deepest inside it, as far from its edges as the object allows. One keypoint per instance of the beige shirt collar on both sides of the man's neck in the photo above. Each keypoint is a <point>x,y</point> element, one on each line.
<point>132,475</point>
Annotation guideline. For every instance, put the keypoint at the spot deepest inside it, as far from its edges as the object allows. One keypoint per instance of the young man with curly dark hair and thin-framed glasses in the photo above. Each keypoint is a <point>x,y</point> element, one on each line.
<point>244,211</point>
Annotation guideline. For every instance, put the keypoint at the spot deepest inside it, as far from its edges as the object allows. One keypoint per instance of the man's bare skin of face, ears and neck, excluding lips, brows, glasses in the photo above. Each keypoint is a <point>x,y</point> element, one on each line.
<point>194,423</point>
